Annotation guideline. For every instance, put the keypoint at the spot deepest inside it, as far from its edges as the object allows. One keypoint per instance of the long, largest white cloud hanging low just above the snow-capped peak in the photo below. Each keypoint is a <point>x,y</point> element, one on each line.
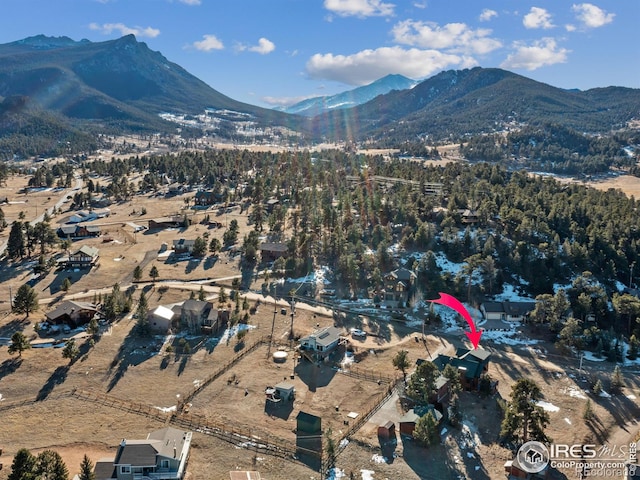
<point>366,66</point>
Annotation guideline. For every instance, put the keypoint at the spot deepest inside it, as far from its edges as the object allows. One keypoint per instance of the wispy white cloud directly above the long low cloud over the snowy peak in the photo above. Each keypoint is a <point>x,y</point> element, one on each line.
<point>457,37</point>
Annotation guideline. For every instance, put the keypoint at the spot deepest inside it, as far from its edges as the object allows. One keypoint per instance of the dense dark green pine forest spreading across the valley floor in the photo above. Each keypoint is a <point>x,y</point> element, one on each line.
<point>527,230</point>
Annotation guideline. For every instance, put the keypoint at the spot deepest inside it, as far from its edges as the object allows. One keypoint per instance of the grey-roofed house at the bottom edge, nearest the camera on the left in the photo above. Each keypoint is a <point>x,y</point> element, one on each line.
<point>163,455</point>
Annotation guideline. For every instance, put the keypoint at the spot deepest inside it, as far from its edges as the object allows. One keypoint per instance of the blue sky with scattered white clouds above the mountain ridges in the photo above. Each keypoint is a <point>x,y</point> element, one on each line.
<point>274,52</point>
